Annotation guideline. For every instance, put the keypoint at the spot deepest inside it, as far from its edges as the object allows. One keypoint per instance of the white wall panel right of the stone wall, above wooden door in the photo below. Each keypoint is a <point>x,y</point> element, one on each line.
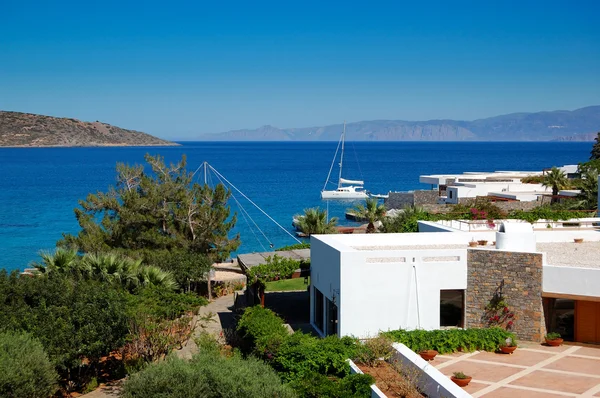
<point>571,280</point>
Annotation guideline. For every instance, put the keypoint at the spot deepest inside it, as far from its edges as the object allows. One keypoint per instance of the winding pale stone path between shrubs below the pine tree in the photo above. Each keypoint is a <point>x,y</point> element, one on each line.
<point>212,318</point>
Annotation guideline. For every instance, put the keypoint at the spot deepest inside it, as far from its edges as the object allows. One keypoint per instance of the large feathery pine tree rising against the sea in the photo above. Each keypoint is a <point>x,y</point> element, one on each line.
<point>161,211</point>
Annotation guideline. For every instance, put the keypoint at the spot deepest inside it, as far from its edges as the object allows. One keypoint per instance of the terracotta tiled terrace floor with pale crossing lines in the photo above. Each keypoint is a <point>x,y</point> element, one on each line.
<point>532,371</point>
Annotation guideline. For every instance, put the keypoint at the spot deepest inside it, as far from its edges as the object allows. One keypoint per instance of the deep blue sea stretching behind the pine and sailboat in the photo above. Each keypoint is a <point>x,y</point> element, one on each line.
<point>39,187</point>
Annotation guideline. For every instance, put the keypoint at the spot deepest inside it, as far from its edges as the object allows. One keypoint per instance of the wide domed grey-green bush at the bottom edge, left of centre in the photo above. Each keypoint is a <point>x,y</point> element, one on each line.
<point>207,375</point>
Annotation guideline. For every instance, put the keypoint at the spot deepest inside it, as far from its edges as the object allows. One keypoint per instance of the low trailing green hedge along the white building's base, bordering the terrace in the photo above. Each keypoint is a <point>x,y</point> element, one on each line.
<point>447,341</point>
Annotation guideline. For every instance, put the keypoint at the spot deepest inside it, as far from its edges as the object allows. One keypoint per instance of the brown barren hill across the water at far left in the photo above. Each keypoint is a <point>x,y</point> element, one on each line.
<point>29,130</point>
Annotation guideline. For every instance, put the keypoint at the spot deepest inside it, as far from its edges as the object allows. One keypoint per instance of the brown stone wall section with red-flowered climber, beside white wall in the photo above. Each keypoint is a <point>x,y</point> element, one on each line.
<point>517,277</point>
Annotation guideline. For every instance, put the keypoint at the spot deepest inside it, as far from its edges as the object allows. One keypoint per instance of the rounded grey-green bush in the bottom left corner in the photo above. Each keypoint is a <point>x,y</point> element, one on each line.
<point>25,370</point>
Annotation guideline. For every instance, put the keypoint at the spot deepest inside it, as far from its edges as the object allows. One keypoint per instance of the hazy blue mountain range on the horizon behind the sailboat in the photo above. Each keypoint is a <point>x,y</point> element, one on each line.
<point>578,125</point>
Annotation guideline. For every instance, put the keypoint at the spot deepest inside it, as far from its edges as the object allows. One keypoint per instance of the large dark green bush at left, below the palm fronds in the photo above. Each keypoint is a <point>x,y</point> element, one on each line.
<point>72,319</point>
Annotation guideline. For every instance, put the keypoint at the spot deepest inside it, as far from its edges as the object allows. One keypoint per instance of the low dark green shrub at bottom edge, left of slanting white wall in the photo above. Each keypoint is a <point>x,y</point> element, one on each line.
<point>316,385</point>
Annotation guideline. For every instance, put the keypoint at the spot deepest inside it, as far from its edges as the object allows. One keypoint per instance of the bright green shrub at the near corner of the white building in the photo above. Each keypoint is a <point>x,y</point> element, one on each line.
<point>301,354</point>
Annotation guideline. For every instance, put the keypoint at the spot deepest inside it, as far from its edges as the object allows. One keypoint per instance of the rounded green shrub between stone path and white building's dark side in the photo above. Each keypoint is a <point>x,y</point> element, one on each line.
<point>261,331</point>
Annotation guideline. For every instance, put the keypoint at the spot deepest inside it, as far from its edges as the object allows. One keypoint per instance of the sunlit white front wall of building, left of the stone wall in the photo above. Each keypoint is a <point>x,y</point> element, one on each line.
<point>396,289</point>
